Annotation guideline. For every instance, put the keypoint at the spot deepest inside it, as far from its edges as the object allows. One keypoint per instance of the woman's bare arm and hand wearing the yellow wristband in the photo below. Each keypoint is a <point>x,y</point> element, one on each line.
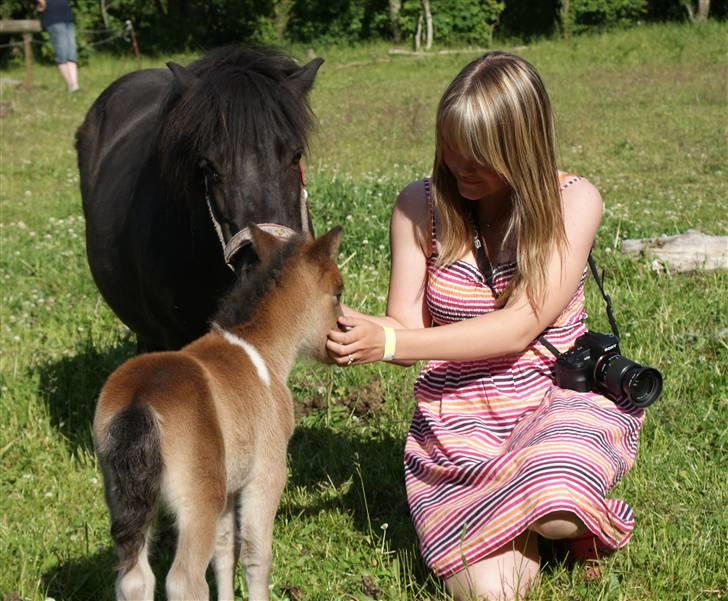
<point>502,332</point>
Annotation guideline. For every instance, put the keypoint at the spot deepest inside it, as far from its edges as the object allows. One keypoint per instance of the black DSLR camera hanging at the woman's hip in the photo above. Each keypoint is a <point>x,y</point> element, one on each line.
<point>595,363</point>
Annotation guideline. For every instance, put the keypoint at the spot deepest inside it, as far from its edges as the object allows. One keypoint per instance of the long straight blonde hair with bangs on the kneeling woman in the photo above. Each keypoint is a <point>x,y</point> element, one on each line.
<point>497,113</point>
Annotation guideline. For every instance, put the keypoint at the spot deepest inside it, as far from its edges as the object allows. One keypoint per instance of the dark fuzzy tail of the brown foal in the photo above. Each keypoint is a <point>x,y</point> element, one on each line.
<point>132,462</point>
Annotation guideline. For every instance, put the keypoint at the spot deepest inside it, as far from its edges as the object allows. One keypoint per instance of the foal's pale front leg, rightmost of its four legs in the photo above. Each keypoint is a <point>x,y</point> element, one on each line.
<point>258,506</point>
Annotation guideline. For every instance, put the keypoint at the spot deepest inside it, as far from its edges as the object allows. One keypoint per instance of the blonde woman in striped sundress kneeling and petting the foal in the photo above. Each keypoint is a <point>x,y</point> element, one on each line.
<point>497,455</point>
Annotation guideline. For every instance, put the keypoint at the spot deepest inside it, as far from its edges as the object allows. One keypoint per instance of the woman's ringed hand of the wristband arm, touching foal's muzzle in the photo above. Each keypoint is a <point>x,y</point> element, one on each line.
<point>359,341</point>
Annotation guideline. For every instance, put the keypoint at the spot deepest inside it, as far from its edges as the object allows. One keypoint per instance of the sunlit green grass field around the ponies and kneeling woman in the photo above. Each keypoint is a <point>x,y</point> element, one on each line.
<point>641,113</point>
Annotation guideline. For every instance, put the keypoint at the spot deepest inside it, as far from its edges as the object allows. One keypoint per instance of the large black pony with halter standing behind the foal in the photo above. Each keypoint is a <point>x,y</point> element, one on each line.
<point>175,165</point>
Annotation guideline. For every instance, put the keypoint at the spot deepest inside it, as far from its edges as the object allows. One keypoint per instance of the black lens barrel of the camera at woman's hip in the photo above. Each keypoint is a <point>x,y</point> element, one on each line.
<point>623,378</point>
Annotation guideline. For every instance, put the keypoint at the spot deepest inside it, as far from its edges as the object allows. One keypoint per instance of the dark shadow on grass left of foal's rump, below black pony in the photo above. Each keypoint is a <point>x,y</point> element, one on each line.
<point>71,385</point>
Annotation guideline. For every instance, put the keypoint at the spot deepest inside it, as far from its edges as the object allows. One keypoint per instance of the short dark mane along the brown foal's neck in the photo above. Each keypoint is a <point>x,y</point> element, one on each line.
<point>240,305</point>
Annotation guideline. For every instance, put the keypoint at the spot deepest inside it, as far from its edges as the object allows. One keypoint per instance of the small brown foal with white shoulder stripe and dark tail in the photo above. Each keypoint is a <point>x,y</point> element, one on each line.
<point>205,429</point>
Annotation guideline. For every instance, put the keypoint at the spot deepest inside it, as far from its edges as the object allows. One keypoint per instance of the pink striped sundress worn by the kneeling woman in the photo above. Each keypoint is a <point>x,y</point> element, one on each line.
<point>494,445</point>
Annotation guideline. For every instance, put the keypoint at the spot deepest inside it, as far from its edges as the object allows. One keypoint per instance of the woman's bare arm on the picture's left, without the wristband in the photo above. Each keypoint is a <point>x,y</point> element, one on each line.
<point>409,237</point>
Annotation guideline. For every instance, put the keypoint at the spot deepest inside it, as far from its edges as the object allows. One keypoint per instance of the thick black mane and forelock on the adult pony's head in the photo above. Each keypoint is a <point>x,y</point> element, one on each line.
<point>238,100</point>
